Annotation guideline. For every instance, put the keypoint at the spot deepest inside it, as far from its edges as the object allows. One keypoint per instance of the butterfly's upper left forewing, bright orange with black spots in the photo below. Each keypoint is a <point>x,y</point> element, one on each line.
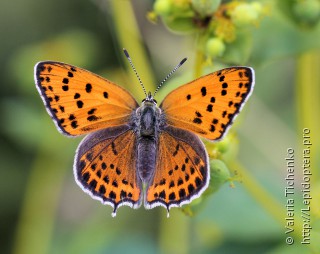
<point>80,101</point>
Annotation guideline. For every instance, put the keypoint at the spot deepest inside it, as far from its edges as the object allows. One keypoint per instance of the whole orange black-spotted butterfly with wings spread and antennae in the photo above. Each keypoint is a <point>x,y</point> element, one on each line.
<point>142,154</point>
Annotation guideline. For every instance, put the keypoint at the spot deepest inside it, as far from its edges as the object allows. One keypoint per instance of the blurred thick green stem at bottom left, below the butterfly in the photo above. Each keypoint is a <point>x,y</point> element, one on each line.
<point>36,222</point>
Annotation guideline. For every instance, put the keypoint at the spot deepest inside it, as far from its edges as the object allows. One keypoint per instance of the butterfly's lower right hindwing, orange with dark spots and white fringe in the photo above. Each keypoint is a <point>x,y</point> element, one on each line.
<point>182,169</point>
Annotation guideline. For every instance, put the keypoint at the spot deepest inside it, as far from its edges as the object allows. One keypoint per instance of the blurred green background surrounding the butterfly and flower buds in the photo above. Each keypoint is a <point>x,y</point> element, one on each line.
<point>42,208</point>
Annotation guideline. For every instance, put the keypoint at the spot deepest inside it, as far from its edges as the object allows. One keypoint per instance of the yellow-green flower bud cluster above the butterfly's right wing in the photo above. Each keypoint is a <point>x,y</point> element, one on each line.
<point>221,28</point>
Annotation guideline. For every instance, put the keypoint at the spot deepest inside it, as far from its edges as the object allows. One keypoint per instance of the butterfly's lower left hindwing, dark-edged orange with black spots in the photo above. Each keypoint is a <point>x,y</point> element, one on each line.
<point>105,167</point>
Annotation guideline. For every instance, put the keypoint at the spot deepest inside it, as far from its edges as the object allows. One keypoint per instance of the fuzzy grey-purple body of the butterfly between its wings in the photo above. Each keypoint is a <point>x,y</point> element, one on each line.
<point>147,131</point>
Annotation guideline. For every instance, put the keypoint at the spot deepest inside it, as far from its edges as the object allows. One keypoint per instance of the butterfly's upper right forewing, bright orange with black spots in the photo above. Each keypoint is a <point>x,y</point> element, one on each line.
<point>208,105</point>
